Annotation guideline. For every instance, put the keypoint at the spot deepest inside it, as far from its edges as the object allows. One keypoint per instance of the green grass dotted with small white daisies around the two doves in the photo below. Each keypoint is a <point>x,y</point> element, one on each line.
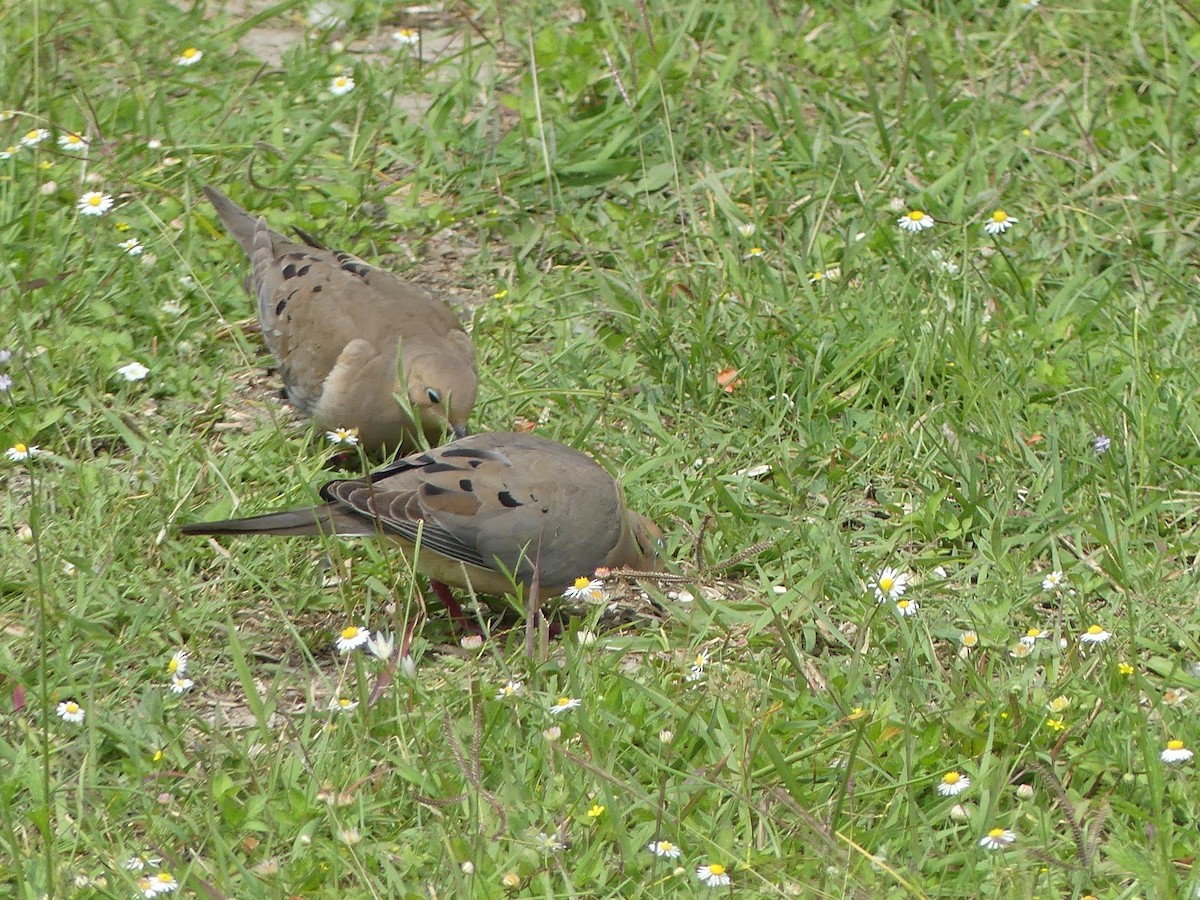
<point>586,179</point>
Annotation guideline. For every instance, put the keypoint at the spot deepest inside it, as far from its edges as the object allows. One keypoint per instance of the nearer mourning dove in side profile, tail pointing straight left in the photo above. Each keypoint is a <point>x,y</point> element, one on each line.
<point>484,507</point>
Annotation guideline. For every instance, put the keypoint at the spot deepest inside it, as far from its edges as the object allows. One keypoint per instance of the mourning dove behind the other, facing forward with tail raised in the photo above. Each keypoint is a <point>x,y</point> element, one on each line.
<point>335,323</point>
